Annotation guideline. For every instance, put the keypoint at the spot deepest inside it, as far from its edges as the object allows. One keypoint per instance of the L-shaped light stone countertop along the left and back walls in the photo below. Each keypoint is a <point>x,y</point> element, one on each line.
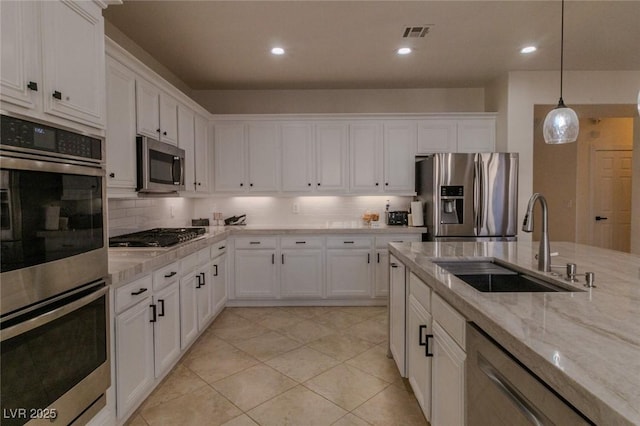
<point>126,264</point>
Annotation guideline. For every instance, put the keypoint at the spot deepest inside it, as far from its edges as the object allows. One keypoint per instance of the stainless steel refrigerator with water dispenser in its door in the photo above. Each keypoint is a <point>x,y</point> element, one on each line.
<point>469,196</point>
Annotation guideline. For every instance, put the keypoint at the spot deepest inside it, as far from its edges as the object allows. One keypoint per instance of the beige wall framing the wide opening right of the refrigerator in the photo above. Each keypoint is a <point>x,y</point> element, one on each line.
<point>528,88</point>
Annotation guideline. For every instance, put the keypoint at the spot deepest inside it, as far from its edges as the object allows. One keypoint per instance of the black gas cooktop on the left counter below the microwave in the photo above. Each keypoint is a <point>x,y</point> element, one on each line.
<point>157,237</point>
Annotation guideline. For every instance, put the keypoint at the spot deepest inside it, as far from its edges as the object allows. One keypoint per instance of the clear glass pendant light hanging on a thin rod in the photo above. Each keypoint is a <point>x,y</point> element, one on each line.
<point>561,124</point>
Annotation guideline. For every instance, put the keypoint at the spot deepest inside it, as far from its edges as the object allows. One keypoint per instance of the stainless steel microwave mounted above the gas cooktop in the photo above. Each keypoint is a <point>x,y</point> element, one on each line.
<point>160,166</point>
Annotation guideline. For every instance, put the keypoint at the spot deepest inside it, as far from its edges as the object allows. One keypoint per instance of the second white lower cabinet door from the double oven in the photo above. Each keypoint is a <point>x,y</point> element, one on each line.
<point>166,333</point>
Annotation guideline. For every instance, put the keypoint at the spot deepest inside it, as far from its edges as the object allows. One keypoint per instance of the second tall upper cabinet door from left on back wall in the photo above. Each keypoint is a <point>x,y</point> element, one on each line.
<point>263,155</point>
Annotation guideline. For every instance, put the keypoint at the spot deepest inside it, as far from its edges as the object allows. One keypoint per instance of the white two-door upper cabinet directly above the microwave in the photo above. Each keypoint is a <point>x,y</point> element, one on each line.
<point>156,112</point>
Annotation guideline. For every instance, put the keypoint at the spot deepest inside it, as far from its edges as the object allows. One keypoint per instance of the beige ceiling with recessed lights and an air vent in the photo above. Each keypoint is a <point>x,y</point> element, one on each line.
<point>351,44</point>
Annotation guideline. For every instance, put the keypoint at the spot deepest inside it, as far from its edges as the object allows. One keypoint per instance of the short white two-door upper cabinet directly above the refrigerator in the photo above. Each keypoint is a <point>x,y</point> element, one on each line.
<point>459,134</point>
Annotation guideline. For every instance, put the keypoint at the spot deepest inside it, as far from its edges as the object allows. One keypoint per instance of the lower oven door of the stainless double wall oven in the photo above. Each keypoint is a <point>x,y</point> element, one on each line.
<point>55,360</point>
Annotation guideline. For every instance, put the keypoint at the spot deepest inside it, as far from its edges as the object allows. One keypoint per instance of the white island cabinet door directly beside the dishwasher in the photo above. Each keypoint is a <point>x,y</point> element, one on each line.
<point>448,379</point>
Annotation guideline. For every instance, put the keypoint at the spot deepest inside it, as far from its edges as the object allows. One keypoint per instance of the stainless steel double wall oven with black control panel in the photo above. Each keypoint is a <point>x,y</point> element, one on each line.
<point>54,309</point>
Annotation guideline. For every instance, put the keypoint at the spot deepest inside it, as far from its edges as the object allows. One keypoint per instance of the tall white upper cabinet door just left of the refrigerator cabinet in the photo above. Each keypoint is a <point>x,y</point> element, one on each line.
<point>399,156</point>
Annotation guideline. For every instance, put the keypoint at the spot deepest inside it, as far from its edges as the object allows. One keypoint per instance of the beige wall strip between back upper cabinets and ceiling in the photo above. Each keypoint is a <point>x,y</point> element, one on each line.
<point>341,101</point>
